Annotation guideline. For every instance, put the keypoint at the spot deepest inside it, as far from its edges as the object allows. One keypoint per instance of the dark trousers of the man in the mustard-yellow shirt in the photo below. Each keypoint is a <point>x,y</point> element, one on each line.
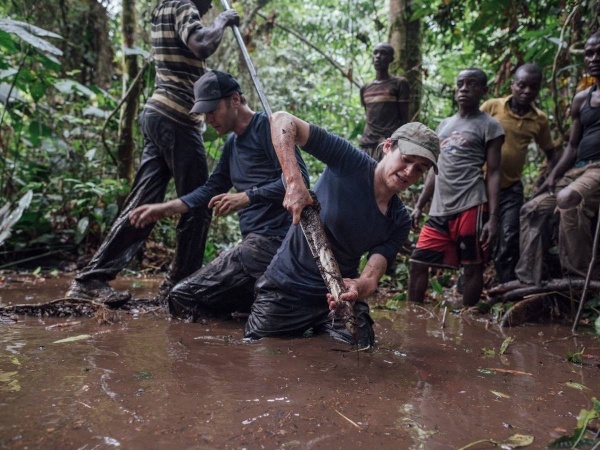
<point>506,250</point>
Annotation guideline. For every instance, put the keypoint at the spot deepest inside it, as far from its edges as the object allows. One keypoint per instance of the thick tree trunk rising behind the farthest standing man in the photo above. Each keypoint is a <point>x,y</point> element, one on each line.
<point>405,37</point>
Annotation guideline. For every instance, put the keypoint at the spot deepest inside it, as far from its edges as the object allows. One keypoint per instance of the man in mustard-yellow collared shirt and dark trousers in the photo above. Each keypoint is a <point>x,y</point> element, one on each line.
<point>523,123</point>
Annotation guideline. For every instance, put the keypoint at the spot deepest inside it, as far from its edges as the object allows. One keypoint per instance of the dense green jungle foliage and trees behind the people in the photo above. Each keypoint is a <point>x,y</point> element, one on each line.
<point>74,74</point>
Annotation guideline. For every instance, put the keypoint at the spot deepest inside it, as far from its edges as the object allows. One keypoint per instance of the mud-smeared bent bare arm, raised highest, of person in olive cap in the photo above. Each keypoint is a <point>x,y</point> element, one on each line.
<point>287,131</point>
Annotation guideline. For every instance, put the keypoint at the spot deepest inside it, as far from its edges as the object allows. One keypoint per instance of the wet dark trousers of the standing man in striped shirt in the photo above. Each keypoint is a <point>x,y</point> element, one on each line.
<point>170,150</point>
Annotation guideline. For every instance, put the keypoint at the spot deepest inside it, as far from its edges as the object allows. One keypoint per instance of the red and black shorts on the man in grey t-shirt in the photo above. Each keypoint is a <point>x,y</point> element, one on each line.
<point>452,241</point>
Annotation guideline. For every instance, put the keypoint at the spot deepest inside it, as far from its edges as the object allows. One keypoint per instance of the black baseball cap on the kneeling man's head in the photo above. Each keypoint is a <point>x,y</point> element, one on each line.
<point>210,88</point>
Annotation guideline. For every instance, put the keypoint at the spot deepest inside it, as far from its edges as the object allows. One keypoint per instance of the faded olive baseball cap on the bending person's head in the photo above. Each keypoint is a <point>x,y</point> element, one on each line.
<point>414,138</point>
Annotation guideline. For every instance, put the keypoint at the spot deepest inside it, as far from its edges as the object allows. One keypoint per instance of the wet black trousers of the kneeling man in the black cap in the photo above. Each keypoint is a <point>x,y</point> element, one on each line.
<point>226,284</point>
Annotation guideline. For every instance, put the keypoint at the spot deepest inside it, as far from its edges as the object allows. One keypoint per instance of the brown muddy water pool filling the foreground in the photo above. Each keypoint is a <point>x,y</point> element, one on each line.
<point>147,382</point>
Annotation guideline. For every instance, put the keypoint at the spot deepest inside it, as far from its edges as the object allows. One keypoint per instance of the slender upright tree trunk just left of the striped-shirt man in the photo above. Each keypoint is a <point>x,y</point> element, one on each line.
<point>125,145</point>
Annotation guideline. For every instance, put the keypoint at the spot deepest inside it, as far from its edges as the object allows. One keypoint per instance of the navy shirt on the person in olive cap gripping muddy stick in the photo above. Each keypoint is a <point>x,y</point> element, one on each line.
<point>351,218</point>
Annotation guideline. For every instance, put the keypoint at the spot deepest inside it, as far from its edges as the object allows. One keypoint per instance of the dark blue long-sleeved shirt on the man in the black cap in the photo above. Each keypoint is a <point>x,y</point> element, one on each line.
<point>249,164</point>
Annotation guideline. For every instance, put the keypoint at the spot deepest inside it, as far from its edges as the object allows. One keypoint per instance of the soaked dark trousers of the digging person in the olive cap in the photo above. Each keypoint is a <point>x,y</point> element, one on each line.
<point>278,313</point>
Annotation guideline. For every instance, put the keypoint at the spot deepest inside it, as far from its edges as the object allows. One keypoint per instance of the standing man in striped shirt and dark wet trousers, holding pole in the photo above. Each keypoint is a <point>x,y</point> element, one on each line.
<point>173,147</point>
